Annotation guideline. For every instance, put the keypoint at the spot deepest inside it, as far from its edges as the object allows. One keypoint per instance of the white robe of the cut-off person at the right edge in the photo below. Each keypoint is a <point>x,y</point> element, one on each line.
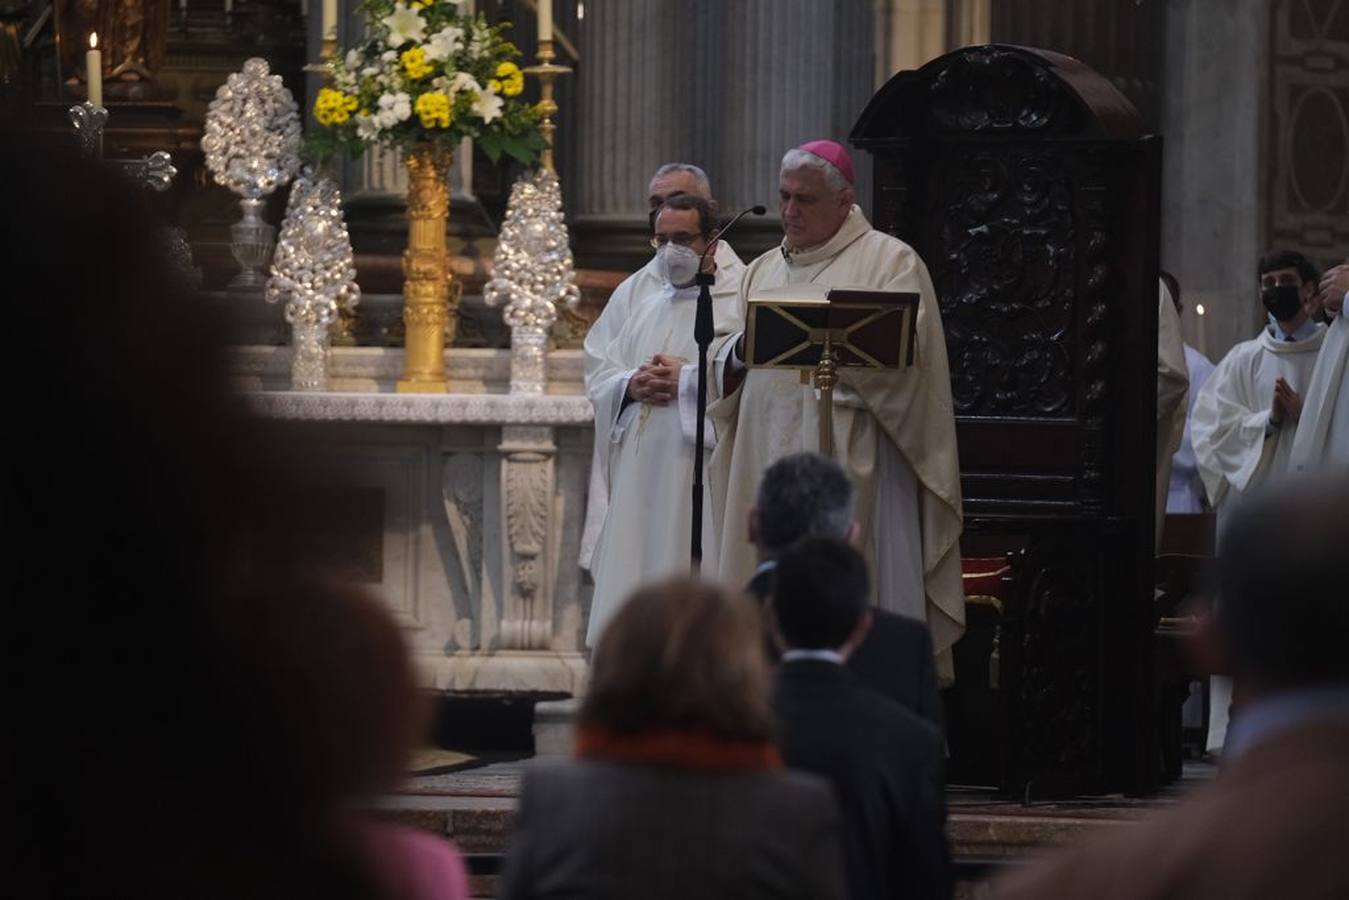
<point>1323,439</point>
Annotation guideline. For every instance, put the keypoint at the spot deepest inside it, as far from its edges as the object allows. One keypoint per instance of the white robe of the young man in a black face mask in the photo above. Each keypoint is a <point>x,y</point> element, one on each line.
<point>1234,443</point>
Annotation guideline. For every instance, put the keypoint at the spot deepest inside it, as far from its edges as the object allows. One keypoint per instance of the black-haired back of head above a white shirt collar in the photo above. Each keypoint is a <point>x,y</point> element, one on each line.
<point>820,597</point>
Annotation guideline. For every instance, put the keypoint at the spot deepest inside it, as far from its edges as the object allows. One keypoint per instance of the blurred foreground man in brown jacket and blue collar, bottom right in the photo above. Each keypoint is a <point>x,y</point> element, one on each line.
<point>1273,824</point>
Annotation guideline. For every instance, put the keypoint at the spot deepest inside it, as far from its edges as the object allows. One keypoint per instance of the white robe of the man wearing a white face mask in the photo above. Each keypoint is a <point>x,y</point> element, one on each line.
<point>643,473</point>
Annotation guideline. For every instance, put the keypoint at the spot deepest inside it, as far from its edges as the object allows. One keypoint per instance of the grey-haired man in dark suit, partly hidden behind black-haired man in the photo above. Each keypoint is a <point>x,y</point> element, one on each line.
<point>809,496</point>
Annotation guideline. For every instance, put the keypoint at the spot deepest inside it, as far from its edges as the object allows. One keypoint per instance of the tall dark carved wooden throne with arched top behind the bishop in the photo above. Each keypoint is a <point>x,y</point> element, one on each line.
<point>1026,183</point>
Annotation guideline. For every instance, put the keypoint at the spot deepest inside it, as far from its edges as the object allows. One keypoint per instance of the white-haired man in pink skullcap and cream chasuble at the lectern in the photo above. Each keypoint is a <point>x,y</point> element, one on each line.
<point>894,432</point>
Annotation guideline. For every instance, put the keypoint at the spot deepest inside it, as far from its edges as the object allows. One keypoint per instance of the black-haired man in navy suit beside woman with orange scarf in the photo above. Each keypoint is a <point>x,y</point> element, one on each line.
<point>884,762</point>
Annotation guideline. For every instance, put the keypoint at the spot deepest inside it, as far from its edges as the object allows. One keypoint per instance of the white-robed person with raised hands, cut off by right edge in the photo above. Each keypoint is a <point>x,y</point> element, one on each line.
<point>1323,439</point>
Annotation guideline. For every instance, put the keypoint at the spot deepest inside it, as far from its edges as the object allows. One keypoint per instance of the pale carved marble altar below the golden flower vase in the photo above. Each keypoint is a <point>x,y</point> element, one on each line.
<point>470,508</point>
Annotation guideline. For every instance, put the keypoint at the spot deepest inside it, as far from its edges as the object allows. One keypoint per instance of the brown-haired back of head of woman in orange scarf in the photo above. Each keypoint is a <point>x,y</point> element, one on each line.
<point>682,658</point>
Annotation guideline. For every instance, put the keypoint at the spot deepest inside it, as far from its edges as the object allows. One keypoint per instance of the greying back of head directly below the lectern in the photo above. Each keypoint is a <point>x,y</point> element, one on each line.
<point>802,496</point>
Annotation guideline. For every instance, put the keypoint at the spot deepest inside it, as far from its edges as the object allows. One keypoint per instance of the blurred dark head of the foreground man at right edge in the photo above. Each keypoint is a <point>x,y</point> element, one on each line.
<point>1282,619</point>
